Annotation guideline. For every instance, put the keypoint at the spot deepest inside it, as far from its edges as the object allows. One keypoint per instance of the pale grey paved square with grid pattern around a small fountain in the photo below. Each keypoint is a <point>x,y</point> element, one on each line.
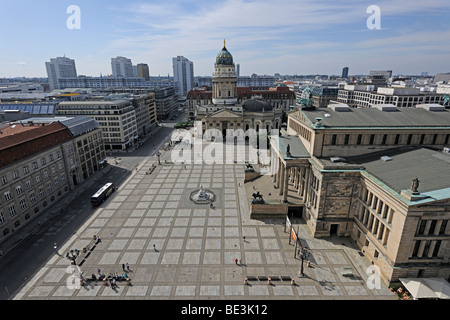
<point>179,249</point>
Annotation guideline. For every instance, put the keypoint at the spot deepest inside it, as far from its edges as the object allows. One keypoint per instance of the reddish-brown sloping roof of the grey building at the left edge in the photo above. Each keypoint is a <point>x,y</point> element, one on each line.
<point>20,142</point>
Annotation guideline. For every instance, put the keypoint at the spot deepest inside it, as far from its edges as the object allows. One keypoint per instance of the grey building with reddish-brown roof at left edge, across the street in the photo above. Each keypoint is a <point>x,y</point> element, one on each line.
<point>32,172</point>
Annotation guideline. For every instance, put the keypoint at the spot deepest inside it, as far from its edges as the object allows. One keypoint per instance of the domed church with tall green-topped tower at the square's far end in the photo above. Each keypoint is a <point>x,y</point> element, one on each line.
<point>220,110</point>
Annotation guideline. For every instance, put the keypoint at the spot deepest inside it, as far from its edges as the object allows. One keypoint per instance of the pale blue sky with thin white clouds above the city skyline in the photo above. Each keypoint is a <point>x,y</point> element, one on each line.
<point>264,36</point>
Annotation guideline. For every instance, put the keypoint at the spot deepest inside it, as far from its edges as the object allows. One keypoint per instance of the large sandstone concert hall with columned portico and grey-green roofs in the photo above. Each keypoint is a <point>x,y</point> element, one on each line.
<point>379,176</point>
